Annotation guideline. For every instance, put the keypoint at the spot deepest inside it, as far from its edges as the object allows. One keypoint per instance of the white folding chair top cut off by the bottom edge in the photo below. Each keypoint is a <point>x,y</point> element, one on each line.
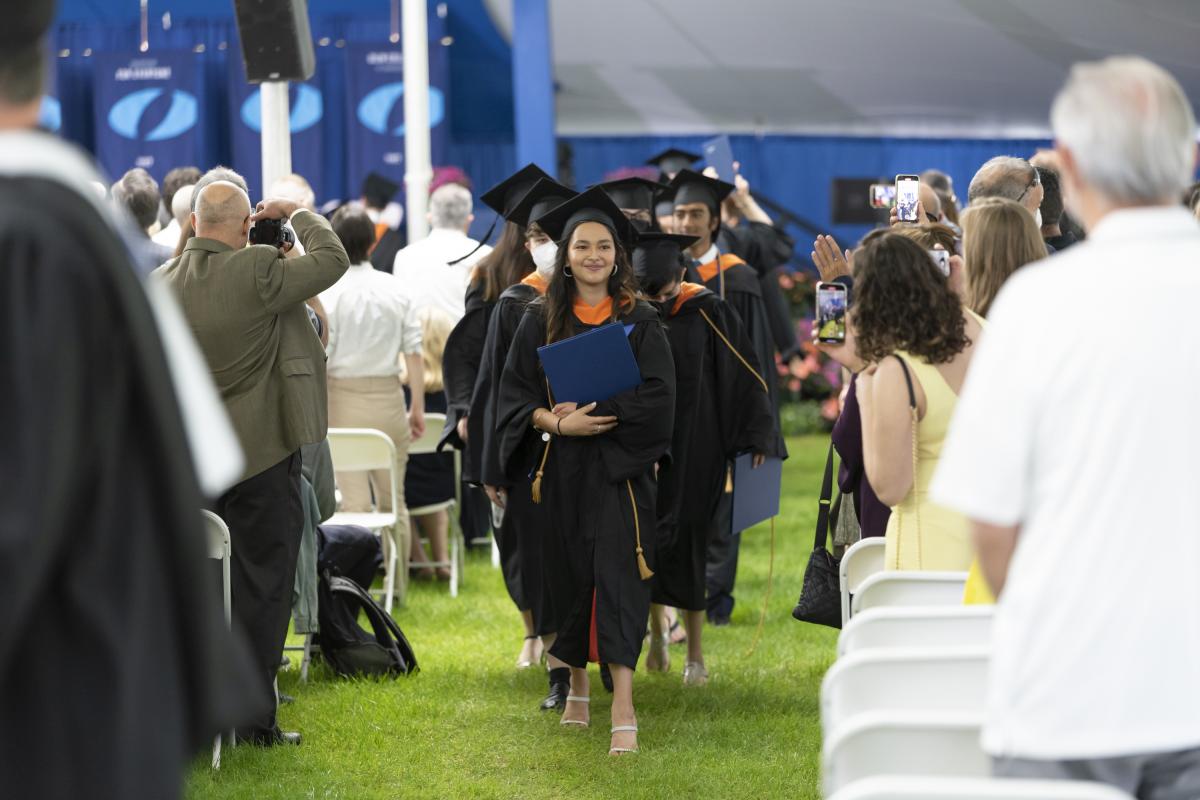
<point>899,787</point>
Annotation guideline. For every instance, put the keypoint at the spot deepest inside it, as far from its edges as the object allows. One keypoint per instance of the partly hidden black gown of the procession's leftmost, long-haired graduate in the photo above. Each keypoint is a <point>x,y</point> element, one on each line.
<point>461,362</point>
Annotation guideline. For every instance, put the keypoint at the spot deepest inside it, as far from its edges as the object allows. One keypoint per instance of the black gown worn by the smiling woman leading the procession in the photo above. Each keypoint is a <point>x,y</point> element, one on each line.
<point>599,491</point>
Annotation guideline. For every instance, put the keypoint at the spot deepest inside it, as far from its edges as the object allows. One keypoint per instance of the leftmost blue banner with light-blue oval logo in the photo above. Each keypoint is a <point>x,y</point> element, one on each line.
<point>147,112</point>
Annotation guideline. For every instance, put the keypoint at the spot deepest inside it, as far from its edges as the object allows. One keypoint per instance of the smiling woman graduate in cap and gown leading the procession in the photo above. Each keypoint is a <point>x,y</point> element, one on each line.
<point>593,465</point>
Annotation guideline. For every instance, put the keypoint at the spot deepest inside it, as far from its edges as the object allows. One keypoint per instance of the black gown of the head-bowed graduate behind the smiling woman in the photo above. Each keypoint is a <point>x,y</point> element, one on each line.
<point>722,411</point>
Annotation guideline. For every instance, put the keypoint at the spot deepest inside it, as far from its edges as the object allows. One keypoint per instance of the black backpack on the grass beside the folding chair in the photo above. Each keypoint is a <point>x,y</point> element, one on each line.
<point>345,646</point>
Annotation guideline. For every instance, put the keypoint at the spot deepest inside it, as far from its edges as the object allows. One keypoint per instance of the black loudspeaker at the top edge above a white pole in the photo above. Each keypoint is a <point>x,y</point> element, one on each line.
<point>277,43</point>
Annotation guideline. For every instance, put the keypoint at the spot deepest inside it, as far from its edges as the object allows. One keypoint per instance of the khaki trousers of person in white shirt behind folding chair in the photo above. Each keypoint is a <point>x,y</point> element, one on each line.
<point>376,404</point>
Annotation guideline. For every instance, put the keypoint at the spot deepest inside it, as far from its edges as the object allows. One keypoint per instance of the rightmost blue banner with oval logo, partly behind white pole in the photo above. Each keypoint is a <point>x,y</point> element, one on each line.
<point>375,97</point>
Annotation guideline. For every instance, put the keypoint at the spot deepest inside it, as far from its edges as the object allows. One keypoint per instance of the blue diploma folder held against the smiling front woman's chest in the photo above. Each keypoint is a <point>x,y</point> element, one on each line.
<point>592,366</point>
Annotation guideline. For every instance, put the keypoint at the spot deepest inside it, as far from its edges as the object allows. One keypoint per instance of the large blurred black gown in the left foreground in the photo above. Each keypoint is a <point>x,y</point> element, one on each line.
<point>115,658</point>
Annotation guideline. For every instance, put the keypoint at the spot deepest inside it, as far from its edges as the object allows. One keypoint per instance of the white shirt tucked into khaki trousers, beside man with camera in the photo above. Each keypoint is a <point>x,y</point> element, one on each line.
<point>371,324</point>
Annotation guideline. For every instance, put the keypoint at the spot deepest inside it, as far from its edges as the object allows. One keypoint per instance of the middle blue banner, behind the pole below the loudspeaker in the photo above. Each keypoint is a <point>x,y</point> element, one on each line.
<point>308,113</point>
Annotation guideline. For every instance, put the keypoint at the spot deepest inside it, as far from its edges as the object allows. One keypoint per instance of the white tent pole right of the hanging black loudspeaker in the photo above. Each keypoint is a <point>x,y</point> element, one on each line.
<point>418,165</point>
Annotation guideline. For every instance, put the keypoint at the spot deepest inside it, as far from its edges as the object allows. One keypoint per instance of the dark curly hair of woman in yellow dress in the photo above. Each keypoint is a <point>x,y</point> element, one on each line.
<point>904,303</point>
